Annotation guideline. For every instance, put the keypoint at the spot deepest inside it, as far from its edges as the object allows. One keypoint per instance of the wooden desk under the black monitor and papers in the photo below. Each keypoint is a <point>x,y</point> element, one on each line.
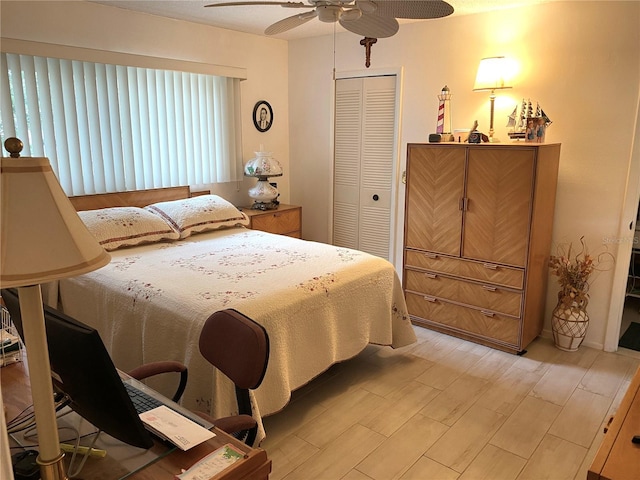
<point>16,394</point>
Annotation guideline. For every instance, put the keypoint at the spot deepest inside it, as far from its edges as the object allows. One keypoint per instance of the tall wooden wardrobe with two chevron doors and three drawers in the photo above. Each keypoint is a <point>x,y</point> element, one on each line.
<point>478,224</point>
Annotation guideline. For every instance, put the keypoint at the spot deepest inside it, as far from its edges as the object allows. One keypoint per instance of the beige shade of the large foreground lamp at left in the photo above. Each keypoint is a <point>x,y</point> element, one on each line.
<point>42,237</point>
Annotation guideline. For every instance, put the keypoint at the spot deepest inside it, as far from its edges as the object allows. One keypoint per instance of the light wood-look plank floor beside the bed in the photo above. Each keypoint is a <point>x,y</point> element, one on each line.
<point>445,408</point>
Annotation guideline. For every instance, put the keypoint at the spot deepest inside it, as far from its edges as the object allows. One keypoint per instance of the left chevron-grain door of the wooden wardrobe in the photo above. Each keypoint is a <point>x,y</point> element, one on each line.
<point>435,191</point>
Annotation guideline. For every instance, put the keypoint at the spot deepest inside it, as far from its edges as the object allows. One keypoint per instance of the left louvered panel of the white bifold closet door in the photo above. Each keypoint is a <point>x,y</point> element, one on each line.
<point>346,176</point>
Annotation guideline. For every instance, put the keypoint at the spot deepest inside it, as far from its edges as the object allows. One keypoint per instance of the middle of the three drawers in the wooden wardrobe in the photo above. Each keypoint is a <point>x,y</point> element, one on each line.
<point>486,296</point>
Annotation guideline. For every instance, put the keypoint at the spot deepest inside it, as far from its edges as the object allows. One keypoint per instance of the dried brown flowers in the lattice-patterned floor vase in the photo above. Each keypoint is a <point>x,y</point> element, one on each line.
<point>574,272</point>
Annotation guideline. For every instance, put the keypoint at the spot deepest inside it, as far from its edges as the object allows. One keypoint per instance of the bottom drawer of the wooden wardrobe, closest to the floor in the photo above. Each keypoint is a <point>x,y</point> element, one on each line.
<point>486,324</point>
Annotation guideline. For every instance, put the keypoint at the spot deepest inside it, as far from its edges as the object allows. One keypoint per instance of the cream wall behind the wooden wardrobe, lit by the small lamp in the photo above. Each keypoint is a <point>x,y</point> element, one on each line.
<point>578,59</point>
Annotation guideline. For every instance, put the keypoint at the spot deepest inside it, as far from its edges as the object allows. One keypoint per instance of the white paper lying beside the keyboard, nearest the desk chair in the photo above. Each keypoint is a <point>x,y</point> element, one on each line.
<point>172,426</point>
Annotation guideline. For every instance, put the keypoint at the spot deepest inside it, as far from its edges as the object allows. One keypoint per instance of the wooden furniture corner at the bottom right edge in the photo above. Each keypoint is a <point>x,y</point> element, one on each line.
<point>617,457</point>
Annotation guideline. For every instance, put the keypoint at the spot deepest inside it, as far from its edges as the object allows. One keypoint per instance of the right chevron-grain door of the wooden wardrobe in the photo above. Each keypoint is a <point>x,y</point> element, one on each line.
<point>499,201</point>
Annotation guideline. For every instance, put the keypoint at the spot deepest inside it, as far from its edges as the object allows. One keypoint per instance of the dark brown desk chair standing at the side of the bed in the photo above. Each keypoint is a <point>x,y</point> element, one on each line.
<point>239,348</point>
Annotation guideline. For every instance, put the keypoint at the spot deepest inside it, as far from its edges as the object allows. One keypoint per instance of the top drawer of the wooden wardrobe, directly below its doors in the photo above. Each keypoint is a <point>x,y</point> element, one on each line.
<point>482,272</point>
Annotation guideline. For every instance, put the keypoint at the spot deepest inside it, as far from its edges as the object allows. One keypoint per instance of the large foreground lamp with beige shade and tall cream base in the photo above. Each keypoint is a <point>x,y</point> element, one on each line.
<point>42,239</point>
